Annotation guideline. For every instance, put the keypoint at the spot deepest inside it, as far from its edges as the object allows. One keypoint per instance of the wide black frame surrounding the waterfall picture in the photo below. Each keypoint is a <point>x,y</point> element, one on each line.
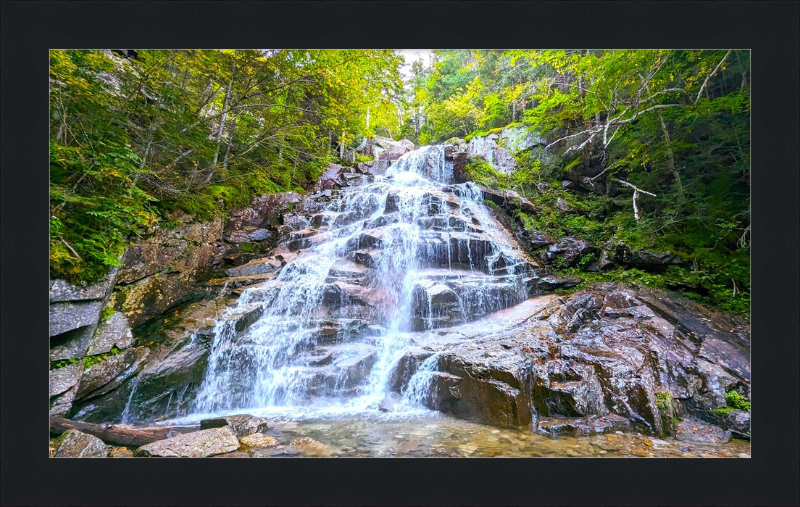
<point>769,29</point>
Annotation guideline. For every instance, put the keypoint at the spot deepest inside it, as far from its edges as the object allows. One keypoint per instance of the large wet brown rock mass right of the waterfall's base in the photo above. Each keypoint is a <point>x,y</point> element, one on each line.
<point>623,353</point>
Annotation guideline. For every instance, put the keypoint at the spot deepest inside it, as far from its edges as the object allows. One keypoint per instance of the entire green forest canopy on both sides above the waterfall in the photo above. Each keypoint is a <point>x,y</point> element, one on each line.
<point>662,138</point>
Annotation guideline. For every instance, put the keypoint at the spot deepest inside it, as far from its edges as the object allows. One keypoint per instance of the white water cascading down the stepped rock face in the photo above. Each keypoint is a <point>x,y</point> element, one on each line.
<point>375,269</point>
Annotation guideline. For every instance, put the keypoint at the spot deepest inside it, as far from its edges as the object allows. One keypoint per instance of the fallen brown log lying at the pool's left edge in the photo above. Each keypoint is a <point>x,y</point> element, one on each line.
<point>115,434</point>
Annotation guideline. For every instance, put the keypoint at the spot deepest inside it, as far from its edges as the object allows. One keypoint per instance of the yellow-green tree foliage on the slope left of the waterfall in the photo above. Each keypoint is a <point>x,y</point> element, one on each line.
<point>134,139</point>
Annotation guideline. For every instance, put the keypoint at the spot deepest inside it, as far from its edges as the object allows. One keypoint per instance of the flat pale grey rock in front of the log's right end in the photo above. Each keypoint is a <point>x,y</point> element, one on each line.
<point>198,444</point>
